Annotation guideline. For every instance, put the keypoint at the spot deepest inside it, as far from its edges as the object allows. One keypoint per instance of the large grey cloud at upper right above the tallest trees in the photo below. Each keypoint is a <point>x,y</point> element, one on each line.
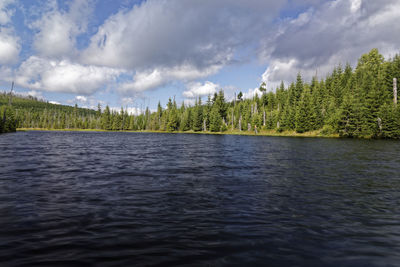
<point>335,32</point>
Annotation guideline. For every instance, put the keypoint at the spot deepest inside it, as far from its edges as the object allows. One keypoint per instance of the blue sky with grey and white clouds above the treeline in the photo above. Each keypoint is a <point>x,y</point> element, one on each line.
<point>134,54</point>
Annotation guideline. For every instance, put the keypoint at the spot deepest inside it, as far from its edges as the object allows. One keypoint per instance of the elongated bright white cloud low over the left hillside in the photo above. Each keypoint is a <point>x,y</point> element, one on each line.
<point>63,76</point>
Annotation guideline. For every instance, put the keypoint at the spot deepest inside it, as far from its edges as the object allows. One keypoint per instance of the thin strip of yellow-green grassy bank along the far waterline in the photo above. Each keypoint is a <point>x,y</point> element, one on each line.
<point>228,132</point>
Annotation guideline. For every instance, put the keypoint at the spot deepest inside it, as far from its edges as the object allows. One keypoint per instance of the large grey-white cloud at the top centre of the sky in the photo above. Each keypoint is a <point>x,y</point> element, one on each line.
<point>163,33</point>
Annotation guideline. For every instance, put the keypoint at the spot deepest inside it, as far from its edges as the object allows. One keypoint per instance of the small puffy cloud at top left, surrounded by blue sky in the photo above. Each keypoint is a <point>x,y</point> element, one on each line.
<point>57,30</point>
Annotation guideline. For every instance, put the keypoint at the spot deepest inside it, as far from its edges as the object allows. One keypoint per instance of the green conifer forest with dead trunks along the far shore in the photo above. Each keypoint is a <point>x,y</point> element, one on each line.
<point>360,102</point>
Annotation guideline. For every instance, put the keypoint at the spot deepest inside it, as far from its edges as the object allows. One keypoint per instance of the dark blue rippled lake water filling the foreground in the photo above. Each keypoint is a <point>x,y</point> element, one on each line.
<point>130,199</point>
